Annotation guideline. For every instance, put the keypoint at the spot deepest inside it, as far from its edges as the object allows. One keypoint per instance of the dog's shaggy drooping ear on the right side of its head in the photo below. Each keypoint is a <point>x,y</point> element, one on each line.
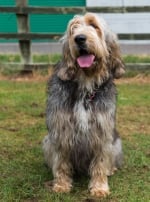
<point>115,61</point>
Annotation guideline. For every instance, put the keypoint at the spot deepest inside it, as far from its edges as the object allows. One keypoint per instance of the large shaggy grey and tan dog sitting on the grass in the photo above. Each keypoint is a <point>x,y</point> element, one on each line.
<point>81,107</point>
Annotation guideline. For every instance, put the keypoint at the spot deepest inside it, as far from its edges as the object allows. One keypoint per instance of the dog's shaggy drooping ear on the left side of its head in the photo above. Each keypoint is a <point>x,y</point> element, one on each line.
<point>66,70</point>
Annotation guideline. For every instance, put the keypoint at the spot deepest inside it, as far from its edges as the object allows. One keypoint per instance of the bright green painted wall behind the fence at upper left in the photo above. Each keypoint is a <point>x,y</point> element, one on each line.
<point>39,22</point>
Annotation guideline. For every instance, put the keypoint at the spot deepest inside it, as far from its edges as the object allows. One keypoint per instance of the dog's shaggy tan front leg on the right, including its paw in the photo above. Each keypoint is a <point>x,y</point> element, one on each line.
<point>99,183</point>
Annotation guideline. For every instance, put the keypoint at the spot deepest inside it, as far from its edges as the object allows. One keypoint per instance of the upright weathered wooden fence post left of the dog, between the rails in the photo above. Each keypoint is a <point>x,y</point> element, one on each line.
<point>24,27</point>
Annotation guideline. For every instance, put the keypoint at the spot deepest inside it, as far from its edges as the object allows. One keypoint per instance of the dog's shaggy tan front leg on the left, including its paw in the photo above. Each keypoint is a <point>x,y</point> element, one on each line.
<point>62,173</point>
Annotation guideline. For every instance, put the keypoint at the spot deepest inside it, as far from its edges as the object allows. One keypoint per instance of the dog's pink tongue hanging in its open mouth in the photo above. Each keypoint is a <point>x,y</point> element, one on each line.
<point>85,61</point>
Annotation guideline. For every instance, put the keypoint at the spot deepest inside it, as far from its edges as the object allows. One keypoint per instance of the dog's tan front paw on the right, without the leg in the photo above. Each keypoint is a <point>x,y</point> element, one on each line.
<point>100,190</point>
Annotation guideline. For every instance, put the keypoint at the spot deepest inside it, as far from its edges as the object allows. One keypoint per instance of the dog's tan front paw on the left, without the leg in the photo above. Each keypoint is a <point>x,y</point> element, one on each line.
<point>61,188</point>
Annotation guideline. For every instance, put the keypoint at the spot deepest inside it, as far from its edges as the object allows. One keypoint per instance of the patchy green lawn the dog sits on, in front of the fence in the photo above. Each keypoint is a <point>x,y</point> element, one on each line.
<point>22,128</point>
